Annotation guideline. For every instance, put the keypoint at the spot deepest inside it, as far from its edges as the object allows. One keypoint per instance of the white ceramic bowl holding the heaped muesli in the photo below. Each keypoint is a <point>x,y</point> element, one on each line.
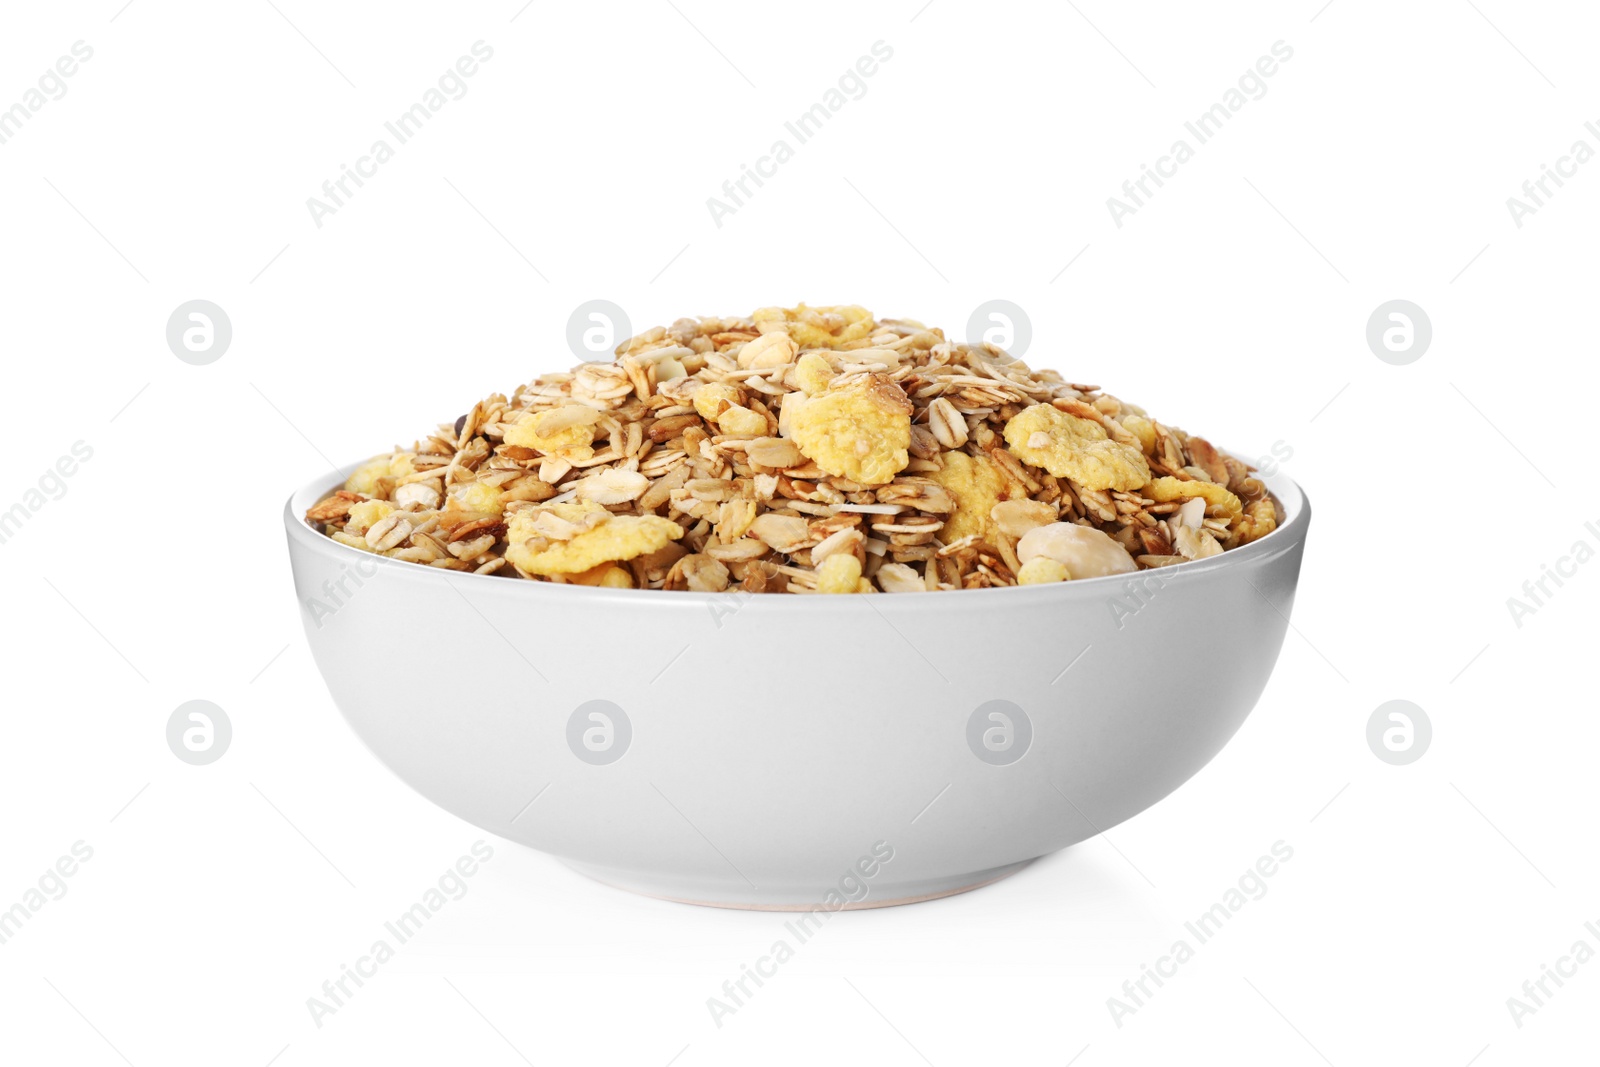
<point>796,753</point>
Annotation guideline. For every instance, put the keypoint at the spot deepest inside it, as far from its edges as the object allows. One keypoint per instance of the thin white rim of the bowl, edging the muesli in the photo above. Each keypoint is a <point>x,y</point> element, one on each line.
<point>1292,497</point>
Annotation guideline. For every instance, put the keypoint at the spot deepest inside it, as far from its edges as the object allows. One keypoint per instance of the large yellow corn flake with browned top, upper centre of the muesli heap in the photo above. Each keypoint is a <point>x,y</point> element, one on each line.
<point>862,433</point>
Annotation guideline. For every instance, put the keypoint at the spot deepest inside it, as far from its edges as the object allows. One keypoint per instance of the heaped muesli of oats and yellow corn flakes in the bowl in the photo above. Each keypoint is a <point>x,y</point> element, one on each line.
<point>802,450</point>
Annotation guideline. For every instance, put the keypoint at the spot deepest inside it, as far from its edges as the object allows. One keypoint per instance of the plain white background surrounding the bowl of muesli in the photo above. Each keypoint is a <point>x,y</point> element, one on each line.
<point>977,166</point>
